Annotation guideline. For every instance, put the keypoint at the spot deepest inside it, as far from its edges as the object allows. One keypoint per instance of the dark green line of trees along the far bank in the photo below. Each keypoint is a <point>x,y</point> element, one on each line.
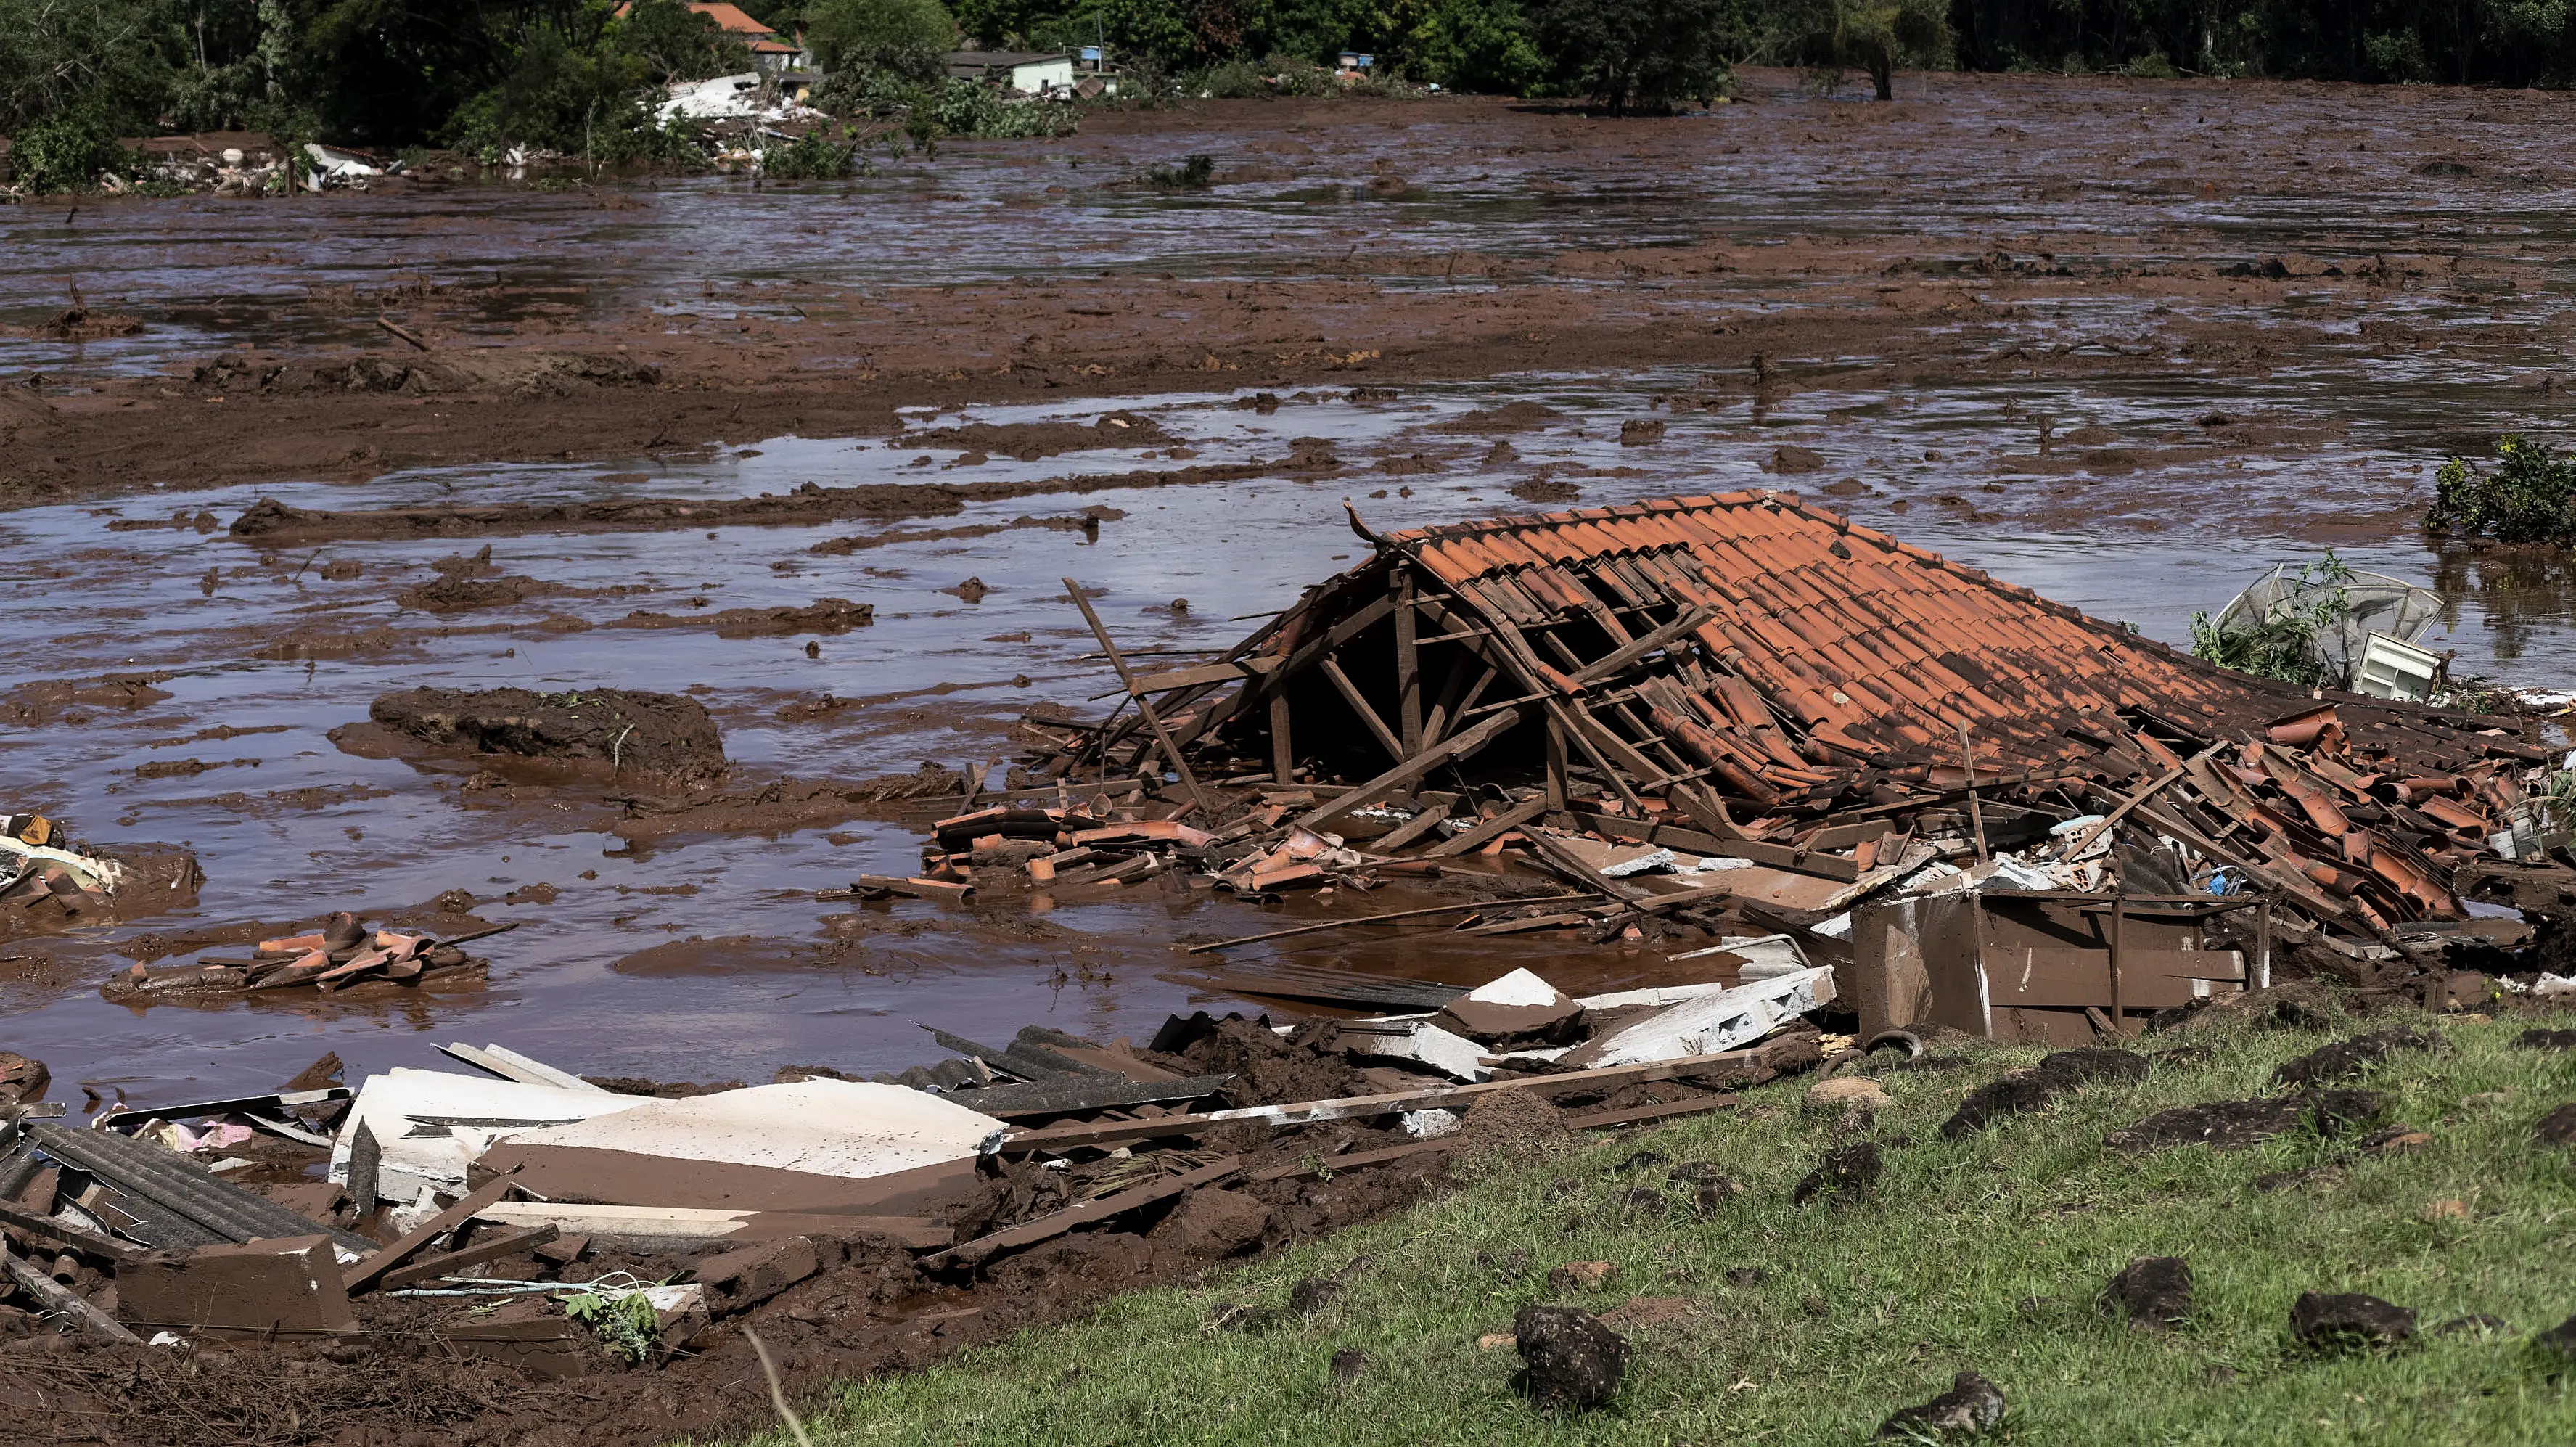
<point>573,73</point>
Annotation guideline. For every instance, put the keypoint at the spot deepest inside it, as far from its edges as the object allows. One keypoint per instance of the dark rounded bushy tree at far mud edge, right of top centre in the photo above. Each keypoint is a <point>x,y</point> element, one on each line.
<point>1640,55</point>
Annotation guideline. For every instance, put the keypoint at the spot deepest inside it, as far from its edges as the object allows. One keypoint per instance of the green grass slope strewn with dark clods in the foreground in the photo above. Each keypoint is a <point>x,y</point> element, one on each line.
<point>1877,1304</point>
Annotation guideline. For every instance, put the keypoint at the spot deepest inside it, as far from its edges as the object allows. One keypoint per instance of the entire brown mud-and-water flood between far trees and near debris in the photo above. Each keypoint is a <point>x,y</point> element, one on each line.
<point>2121,344</point>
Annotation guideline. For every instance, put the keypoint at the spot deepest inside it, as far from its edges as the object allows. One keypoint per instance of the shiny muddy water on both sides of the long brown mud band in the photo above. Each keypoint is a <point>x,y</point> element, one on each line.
<point>2137,498</point>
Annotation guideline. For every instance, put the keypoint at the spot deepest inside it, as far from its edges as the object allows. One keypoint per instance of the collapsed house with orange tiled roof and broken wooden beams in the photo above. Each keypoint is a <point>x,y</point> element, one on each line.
<point>1817,722</point>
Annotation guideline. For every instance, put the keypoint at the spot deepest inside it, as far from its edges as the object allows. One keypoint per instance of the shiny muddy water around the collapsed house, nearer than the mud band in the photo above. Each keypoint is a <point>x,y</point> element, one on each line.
<point>707,957</point>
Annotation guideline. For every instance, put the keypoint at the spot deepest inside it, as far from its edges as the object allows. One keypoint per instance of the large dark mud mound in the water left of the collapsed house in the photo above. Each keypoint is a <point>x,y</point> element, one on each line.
<point>650,733</point>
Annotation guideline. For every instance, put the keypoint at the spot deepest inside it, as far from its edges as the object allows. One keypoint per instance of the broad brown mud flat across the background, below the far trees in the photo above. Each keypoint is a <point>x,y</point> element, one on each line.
<point>1951,236</point>
